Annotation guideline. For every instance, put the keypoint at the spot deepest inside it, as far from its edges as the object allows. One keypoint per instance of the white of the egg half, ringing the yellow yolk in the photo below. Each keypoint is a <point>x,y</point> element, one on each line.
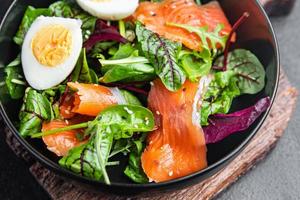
<point>43,77</point>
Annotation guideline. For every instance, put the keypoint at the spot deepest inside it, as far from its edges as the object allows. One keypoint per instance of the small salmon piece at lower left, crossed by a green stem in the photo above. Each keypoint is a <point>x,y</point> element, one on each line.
<point>61,143</point>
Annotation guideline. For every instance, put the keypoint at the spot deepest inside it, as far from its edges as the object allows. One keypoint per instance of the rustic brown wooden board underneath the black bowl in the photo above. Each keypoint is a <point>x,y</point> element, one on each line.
<point>260,145</point>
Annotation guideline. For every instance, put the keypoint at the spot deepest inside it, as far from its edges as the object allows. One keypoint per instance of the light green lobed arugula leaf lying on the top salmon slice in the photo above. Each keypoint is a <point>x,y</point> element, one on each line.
<point>209,40</point>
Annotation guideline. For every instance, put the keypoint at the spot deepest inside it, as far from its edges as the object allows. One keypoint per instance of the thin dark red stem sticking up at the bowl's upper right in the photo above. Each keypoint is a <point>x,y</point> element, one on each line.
<point>236,25</point>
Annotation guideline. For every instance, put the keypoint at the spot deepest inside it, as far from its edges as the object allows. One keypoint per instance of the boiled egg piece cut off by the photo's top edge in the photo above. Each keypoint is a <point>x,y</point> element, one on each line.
<point>109,9</point>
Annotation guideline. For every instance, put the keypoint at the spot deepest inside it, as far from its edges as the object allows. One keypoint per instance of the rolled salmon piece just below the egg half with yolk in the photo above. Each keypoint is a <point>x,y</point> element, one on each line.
<point>90,99</point>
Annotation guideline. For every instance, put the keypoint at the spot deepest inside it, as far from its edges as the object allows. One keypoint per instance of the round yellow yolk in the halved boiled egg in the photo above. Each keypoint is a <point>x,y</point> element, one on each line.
<point>52,45</point>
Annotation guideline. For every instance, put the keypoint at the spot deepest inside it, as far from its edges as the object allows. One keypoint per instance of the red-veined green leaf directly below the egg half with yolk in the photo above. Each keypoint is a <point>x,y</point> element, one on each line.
<point>35,109</point>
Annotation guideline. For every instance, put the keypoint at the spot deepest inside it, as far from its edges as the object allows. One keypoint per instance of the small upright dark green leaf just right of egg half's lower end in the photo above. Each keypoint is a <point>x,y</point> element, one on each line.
<point>81,72</point>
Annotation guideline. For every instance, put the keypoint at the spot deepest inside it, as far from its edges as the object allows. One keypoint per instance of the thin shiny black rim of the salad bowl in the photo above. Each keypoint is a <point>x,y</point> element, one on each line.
<point>66,173</point>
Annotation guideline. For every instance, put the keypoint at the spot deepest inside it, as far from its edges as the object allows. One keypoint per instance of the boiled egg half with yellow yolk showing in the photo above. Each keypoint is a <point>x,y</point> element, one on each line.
<point>50,51</point>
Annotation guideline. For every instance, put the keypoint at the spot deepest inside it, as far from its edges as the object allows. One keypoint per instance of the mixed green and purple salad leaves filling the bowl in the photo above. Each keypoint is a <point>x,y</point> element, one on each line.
<point>128,56</point>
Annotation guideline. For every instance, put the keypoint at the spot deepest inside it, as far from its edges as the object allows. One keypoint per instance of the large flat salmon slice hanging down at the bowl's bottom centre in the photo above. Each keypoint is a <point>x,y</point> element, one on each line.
<point>177,148</point>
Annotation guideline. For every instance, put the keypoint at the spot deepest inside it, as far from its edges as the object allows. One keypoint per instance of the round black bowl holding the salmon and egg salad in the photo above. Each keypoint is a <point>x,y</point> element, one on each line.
<point>256,35</point>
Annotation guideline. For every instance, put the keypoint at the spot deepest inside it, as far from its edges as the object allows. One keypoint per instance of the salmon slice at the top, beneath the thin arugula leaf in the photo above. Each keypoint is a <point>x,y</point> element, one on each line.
<point>155,17</point>
